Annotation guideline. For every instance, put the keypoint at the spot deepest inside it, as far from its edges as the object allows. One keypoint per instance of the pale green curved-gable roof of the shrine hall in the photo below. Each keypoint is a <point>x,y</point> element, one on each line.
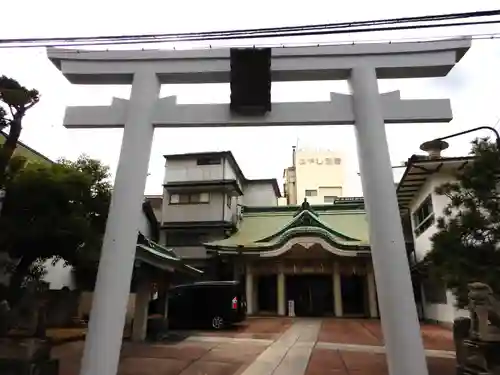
<point>260,230</point>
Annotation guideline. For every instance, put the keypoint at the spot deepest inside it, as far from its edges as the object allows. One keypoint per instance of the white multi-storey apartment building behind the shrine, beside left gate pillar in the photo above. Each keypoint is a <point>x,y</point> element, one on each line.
<point>202,200</point>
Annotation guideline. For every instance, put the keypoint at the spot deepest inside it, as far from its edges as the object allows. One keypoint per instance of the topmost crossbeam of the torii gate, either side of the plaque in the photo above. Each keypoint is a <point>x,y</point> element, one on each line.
<point>396,60</point>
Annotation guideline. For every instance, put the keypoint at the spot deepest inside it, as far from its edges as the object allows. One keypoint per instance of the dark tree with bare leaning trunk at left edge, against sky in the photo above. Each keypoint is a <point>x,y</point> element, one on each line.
<point>15,101</point>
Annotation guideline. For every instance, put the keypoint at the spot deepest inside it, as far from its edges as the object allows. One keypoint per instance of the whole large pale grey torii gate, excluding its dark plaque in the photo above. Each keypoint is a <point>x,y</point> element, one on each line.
<point>361,64</point>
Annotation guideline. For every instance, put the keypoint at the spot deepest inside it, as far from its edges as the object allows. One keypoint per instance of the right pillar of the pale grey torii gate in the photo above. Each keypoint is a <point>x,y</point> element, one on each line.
<point>398,314</point>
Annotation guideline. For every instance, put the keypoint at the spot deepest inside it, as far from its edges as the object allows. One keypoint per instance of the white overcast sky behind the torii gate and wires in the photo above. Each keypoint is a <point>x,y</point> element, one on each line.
<point>261,152</point>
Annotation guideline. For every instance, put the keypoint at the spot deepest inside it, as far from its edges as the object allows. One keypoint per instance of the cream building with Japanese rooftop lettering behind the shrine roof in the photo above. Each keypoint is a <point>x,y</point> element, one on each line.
<point>317,170</point>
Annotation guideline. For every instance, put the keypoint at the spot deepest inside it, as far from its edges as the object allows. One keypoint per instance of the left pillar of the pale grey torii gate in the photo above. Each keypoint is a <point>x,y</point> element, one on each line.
<point>112,289</point>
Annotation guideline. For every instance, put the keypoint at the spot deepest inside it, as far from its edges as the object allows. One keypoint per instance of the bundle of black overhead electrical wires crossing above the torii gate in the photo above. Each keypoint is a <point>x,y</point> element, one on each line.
<point>390,24</point>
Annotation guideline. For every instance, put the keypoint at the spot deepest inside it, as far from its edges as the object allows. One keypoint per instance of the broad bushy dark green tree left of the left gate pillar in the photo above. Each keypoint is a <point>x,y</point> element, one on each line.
<point>54,211</point>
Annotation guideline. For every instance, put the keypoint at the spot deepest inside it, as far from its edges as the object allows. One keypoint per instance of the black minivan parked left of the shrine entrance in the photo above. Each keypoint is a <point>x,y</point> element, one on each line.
<point>215,304</point>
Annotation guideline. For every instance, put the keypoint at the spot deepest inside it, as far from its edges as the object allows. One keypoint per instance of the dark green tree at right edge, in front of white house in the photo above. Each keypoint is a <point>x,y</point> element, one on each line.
<point>465,248</point>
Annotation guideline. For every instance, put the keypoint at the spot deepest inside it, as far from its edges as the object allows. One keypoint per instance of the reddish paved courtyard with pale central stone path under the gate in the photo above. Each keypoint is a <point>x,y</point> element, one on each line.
<point>272,346</point>
